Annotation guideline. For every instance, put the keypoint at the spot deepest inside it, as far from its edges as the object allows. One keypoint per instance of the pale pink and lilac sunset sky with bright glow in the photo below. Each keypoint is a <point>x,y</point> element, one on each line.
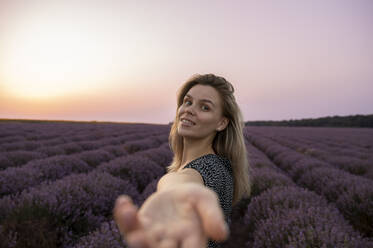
<point>124,61</point>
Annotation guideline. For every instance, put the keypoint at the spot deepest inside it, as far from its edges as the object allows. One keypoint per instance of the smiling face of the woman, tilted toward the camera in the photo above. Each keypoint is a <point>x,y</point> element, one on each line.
<point>200,114</point>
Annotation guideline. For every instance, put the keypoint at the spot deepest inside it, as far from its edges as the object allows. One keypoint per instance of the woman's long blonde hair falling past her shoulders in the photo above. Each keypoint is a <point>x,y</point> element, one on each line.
<point>228,142</point>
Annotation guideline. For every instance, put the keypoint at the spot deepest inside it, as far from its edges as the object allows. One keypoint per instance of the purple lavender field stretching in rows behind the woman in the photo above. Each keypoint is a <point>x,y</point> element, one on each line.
<point>312,187</point>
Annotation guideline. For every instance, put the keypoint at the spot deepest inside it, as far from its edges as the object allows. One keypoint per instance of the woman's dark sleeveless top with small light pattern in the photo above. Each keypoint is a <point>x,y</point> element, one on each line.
<point>217,174</point>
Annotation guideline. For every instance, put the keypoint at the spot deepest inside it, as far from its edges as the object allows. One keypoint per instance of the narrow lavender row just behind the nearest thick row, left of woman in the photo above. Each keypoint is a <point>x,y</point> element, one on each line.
<point>16,179</point>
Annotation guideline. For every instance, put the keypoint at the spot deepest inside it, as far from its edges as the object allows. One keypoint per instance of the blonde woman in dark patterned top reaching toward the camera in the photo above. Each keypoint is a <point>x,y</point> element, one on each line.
<point>208,174</point>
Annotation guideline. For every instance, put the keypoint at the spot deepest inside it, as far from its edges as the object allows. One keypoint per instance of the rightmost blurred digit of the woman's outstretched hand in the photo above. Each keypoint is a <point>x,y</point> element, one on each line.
<point>208,207</point>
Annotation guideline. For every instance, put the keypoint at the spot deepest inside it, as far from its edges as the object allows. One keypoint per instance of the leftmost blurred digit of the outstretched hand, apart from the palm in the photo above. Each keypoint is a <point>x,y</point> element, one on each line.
<point>125,215</point>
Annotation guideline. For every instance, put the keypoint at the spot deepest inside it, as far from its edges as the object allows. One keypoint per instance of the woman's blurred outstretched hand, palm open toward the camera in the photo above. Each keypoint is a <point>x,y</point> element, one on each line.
<point>184,216</point>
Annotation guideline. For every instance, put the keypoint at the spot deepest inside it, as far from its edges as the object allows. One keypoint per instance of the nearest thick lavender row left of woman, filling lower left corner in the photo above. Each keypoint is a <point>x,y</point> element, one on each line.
<point>70,207</point>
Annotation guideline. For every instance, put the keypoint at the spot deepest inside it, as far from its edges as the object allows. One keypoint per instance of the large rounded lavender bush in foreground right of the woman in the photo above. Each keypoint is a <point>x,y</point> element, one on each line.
<point>294,217</point>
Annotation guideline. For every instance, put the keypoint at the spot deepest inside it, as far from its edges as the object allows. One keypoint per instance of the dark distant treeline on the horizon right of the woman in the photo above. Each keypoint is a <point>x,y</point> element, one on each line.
<point>329,121</point>
